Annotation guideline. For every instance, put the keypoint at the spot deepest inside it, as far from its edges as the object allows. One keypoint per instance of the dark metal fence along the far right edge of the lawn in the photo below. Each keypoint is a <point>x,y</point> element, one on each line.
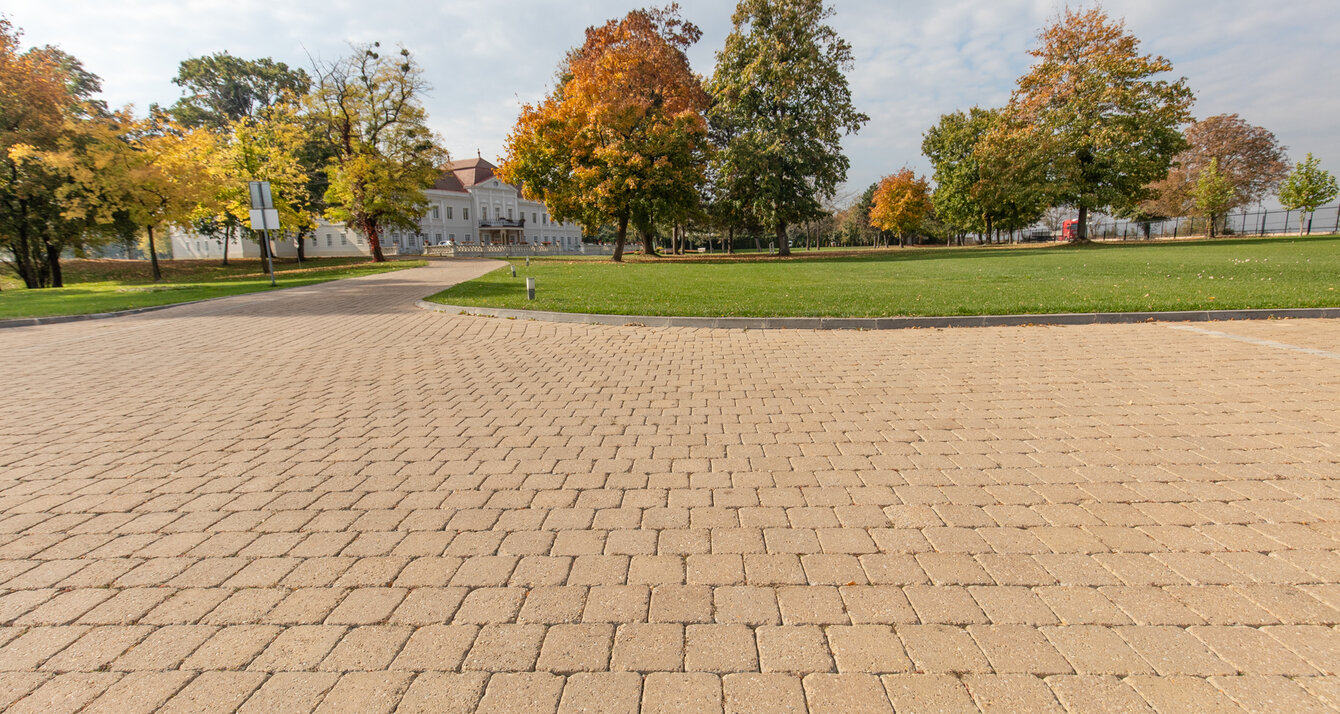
<point>1260,223</point>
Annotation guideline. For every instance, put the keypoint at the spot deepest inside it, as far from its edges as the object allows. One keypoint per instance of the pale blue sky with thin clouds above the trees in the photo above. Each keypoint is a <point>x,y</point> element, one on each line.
<point>1272,62</point>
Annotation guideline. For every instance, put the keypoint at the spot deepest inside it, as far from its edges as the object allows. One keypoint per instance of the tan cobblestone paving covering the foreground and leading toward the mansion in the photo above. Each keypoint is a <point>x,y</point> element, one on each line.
<point>329,500</point>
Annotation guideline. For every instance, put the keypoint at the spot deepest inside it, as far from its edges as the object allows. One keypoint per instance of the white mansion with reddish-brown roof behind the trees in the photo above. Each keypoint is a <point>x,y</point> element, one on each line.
<point>468,206</point>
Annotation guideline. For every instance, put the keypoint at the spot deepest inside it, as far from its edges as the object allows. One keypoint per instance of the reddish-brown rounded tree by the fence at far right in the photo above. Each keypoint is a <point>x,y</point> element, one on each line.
<point>1248,157</point>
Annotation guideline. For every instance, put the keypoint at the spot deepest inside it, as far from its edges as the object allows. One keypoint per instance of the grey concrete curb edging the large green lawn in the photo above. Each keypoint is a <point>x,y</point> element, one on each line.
<point>888,324</point>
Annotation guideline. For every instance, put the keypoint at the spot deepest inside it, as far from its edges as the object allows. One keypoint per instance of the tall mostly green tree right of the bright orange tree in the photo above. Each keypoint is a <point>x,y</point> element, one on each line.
<point>781,85</point>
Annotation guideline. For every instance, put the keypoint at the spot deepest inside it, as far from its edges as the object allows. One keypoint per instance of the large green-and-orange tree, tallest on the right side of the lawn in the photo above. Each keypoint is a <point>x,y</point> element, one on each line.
<point>1099,112</point>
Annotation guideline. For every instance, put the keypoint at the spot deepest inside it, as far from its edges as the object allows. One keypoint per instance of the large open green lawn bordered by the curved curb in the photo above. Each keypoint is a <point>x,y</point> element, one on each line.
<point>1280,273</point>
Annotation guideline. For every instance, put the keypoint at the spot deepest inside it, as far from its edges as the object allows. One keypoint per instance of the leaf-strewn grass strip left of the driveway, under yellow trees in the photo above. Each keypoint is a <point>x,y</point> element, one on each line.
<point>108,286</point>
